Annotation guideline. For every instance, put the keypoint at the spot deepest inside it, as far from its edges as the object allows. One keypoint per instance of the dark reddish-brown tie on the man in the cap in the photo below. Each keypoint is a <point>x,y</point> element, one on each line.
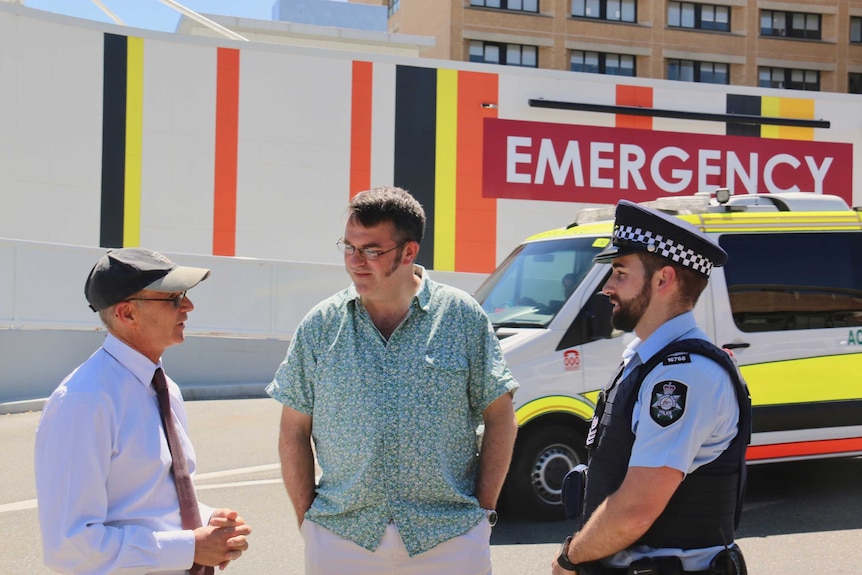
<point>189,510</point>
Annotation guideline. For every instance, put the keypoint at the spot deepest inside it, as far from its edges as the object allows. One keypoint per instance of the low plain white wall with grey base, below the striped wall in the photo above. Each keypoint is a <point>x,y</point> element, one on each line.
<point>244,316</point>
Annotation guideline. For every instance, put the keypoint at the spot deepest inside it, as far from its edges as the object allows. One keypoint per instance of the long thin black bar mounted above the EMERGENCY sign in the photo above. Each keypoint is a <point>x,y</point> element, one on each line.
<point>679,114</point>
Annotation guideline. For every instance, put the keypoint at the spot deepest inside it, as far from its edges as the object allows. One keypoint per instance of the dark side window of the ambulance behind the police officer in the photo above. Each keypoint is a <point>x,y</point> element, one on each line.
<point>793,281</point>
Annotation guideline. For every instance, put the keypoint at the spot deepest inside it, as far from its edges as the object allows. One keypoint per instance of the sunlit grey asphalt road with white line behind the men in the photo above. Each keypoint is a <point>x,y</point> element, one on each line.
<point>799,517</point>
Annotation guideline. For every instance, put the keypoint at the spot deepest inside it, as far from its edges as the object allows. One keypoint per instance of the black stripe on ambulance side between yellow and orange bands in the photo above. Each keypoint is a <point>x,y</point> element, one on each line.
<point>816,415</point>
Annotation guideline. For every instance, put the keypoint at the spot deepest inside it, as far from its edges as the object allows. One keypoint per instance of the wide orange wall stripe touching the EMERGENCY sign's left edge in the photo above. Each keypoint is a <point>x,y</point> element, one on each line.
<point>475,216</point>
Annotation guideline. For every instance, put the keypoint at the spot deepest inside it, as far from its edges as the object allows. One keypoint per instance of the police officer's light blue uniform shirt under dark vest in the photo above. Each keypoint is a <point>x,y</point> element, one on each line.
<point>685,416</point>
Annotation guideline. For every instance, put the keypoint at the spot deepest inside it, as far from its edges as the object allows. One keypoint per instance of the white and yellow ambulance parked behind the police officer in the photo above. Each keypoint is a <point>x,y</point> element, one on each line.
<point>788,304</point>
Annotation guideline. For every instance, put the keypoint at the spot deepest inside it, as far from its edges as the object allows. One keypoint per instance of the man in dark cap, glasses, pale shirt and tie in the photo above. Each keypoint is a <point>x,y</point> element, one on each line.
<point>113,456</point>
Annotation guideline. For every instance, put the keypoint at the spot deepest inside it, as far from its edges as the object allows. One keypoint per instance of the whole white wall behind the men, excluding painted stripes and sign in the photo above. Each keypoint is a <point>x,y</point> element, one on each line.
<point>293,181</point>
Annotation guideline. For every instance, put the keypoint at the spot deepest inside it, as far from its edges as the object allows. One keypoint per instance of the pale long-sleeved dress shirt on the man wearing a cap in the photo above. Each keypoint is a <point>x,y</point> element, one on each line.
<point>107,499</point>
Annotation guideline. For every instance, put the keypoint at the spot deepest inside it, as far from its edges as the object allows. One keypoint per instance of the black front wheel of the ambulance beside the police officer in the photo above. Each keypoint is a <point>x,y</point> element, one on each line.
<point>543,455</point>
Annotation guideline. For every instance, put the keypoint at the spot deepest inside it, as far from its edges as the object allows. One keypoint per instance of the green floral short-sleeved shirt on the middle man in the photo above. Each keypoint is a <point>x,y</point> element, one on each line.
<point>394,422</point>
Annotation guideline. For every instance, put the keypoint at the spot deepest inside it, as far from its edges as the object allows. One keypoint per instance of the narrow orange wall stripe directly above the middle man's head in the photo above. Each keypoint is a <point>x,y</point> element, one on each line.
<point>360,128</point>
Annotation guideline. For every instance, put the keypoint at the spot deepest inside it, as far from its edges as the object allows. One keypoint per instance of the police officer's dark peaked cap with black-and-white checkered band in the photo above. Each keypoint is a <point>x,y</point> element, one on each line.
<point>641,229</point>
